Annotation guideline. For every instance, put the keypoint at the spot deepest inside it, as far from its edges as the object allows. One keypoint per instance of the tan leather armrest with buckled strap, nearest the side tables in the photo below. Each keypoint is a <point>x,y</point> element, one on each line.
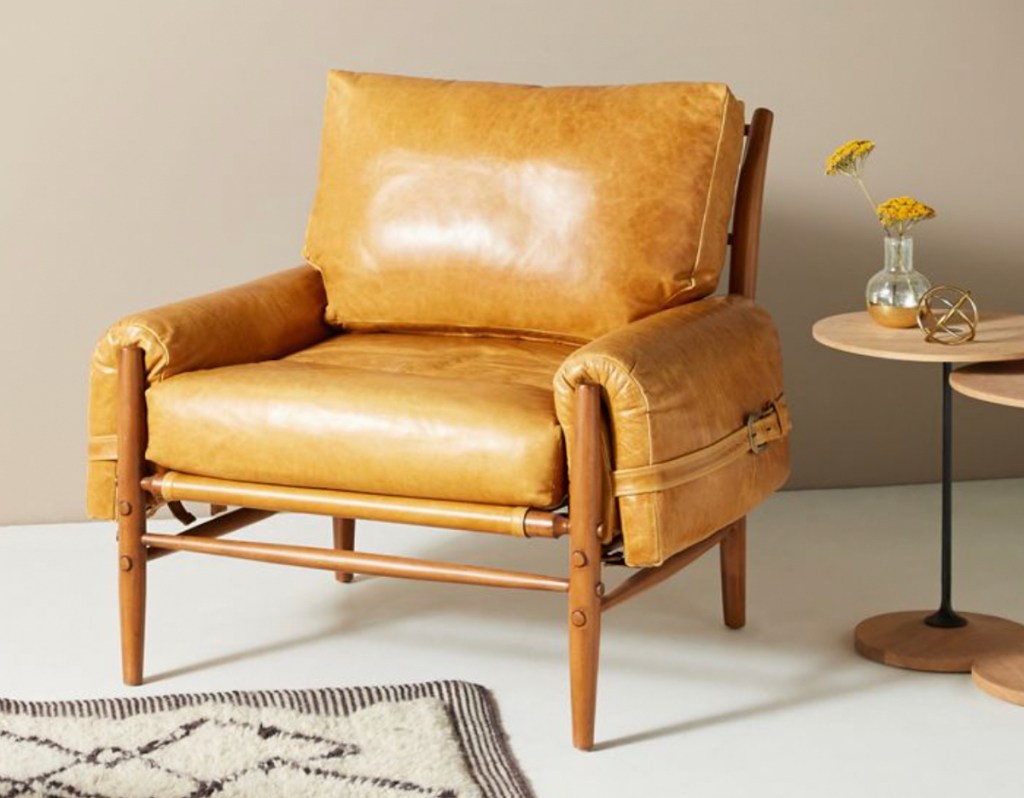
<point>680,388</point>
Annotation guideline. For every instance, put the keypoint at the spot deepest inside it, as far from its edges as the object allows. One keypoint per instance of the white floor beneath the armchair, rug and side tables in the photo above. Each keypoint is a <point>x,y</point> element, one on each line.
<point>687,707</point>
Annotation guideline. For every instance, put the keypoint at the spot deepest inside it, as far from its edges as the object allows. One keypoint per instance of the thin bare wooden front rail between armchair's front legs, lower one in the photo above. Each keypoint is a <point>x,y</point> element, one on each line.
<point>359,563</point>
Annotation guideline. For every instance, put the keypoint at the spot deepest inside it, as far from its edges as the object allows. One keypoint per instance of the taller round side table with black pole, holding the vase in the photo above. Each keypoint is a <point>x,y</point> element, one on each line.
<point>943,641</point>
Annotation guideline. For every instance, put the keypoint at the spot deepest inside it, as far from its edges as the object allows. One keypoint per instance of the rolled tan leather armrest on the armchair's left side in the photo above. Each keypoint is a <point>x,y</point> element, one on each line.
<point>263,320</point>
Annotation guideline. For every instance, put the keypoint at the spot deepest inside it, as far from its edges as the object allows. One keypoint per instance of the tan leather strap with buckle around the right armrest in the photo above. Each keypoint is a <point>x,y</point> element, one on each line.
<point>762,429</point>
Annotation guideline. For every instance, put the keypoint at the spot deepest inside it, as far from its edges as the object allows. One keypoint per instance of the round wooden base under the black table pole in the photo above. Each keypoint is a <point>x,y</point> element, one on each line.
<point>905,641</point>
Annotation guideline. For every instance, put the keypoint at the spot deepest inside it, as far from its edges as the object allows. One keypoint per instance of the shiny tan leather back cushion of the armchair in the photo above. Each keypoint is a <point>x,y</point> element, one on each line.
<point>537,213</point>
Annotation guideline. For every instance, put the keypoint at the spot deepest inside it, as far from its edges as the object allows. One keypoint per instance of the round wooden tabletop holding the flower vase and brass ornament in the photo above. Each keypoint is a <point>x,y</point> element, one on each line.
<point>1001,338</point>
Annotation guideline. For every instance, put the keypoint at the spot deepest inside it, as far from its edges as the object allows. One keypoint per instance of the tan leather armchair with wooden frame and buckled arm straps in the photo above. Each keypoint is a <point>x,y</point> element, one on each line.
<point>509,307</point>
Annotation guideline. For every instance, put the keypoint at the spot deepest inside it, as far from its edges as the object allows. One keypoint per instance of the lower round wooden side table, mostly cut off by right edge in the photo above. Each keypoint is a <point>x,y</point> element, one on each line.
<point>999,675</point>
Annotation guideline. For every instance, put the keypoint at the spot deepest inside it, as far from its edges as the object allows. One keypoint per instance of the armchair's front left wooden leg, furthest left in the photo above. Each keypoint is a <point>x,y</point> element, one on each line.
<point>132,512</point>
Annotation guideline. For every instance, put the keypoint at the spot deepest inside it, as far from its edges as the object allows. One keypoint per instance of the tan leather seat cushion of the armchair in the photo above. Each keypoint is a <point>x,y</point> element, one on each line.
<point>441,417</point>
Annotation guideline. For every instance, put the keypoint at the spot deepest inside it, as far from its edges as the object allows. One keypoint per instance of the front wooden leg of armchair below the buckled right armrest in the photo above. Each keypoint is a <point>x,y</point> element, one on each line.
<point>585,564</point>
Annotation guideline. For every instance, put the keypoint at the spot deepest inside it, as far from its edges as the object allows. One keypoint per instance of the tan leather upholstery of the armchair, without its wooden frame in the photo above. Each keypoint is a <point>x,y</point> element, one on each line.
<point>524,222</point>
